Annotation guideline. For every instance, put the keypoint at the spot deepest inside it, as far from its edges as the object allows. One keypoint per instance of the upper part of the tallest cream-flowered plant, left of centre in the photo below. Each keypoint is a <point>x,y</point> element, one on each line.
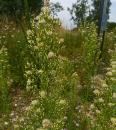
<point>44,46</point>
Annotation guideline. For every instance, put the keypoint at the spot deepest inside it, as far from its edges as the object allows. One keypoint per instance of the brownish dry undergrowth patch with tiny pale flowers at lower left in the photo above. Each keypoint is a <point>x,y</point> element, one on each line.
<point>19,100</point>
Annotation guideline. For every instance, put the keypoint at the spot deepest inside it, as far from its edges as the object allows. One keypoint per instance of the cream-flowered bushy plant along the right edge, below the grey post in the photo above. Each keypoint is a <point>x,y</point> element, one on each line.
<point>101,112</point>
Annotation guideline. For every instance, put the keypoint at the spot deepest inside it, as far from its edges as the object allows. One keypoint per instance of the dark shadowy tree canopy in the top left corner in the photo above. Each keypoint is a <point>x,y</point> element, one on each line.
<point>9,7</point>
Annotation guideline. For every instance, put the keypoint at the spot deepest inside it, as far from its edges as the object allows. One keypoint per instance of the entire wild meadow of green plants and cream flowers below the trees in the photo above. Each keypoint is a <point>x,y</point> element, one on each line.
<point>55,79</point>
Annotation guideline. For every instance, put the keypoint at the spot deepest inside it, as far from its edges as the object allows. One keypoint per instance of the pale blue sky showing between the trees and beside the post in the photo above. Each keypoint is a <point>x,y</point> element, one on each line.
<point>65,15</point>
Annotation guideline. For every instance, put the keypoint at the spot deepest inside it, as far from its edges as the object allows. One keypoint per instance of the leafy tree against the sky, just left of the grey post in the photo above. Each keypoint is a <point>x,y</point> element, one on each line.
<point>81,12</point>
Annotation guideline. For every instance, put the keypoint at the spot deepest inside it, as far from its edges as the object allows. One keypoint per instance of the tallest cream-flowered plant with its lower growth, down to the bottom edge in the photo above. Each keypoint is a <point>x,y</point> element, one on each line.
<point>48,74</point>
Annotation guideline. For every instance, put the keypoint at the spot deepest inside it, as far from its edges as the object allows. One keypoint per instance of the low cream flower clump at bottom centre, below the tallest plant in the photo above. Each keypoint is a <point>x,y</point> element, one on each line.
<point>43,113</point>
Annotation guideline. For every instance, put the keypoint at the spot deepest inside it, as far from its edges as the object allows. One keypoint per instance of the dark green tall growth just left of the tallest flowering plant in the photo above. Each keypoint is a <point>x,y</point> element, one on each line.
<point>17,54</point>
